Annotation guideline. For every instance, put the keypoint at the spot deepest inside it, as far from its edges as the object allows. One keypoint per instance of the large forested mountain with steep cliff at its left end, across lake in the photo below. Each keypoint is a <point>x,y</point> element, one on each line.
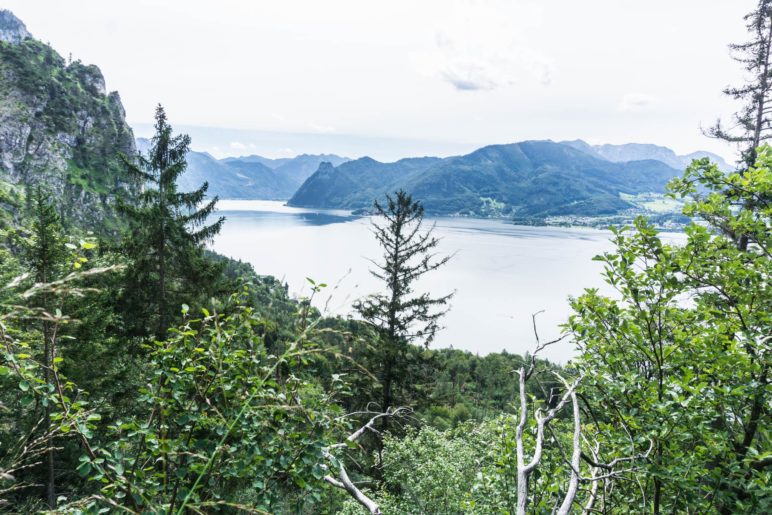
<point>530,179</point>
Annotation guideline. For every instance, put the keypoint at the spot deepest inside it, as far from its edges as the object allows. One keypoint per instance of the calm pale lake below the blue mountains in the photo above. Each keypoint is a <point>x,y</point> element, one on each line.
<point>501,273</point>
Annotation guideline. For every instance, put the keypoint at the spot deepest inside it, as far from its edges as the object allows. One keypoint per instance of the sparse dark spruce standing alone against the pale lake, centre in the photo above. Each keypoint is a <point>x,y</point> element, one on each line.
<point>400,315</point>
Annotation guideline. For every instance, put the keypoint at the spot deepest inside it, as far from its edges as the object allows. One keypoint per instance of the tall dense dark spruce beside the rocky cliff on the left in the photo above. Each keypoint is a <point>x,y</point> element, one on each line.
<point>168,230</point>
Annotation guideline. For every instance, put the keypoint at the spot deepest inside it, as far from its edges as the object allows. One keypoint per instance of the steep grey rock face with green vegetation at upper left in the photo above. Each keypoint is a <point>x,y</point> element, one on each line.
<point>60,129</point>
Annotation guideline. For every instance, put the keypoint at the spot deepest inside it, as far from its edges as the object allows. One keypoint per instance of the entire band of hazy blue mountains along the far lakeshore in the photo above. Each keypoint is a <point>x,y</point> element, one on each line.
<point>530,179</point>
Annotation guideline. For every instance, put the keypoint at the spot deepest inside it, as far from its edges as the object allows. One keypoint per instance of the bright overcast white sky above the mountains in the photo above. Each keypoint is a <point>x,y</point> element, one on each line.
<point>401,78</point>
